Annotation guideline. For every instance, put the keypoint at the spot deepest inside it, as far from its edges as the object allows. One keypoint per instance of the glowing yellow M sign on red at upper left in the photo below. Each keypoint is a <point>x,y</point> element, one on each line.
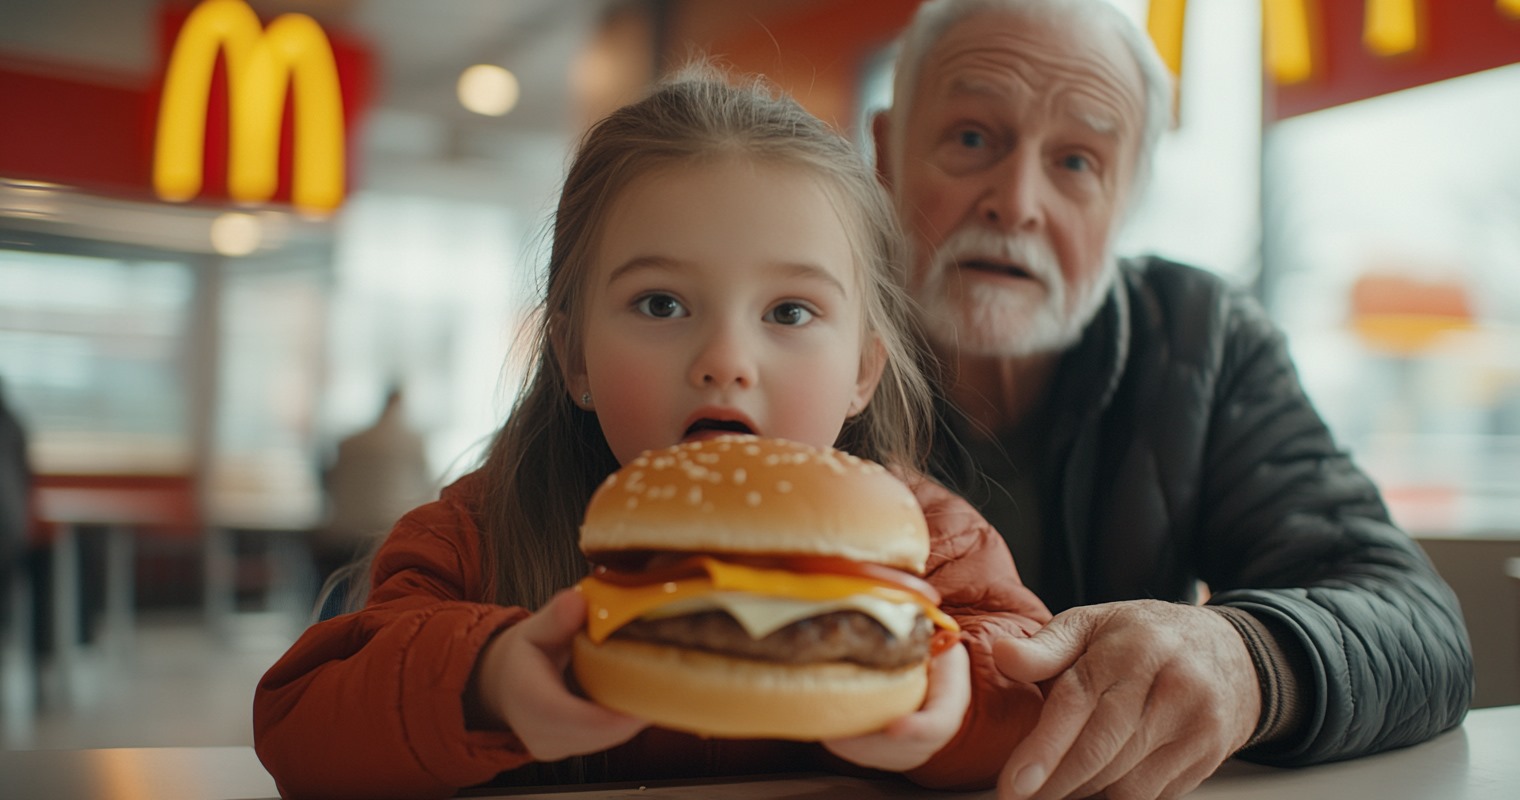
<point>261,65</point>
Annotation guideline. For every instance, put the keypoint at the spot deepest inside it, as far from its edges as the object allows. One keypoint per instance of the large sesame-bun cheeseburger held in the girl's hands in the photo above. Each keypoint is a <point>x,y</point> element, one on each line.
<point>753,588</point>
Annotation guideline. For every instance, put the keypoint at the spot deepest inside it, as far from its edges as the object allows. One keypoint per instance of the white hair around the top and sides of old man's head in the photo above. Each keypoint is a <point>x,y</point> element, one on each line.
<point>936,17</point>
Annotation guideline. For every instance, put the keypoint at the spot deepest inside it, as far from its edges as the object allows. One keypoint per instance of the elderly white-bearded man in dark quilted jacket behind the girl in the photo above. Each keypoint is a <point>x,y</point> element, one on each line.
<point>1135,428</point>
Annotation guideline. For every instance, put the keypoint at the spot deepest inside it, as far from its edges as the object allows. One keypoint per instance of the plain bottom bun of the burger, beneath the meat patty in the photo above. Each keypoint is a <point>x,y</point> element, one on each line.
<point>741,699</point>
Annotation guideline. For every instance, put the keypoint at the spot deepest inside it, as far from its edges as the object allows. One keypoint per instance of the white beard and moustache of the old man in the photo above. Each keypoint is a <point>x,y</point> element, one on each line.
<point>998,319</point>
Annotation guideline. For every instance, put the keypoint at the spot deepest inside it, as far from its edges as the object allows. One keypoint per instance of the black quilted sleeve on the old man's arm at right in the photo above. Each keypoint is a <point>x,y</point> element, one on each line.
<point>1297,536</point>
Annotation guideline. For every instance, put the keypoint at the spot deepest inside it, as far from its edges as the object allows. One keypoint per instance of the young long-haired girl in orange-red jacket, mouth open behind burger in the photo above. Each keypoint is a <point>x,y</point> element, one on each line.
<point>721,259</point>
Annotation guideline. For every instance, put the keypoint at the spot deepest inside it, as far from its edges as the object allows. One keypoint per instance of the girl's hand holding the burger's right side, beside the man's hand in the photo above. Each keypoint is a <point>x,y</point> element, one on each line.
<point>910,741</point>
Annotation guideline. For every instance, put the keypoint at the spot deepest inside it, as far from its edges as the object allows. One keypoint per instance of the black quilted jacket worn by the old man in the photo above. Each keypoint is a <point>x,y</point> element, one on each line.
<point>1186,449</point>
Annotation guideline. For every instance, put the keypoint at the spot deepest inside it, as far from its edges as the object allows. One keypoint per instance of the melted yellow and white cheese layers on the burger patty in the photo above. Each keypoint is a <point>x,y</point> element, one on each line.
<point>761,600</point>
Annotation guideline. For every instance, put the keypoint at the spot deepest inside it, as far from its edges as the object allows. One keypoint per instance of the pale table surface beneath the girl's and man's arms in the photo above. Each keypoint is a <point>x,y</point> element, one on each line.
<point>1474,763</point>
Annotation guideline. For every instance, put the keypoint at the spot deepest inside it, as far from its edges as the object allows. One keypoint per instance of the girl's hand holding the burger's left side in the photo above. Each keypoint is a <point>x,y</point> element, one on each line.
<point>522,681</point>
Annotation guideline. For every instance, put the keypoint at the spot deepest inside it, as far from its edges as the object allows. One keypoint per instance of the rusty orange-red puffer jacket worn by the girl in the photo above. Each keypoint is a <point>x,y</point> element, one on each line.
<point>372,703</point>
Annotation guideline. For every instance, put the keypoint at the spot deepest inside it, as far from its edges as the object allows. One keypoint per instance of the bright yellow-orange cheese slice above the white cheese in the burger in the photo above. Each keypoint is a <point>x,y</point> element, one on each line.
<point>610,606</point>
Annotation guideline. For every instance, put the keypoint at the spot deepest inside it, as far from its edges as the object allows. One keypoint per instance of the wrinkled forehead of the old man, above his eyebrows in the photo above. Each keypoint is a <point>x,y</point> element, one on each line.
<point>1074,65</point>
